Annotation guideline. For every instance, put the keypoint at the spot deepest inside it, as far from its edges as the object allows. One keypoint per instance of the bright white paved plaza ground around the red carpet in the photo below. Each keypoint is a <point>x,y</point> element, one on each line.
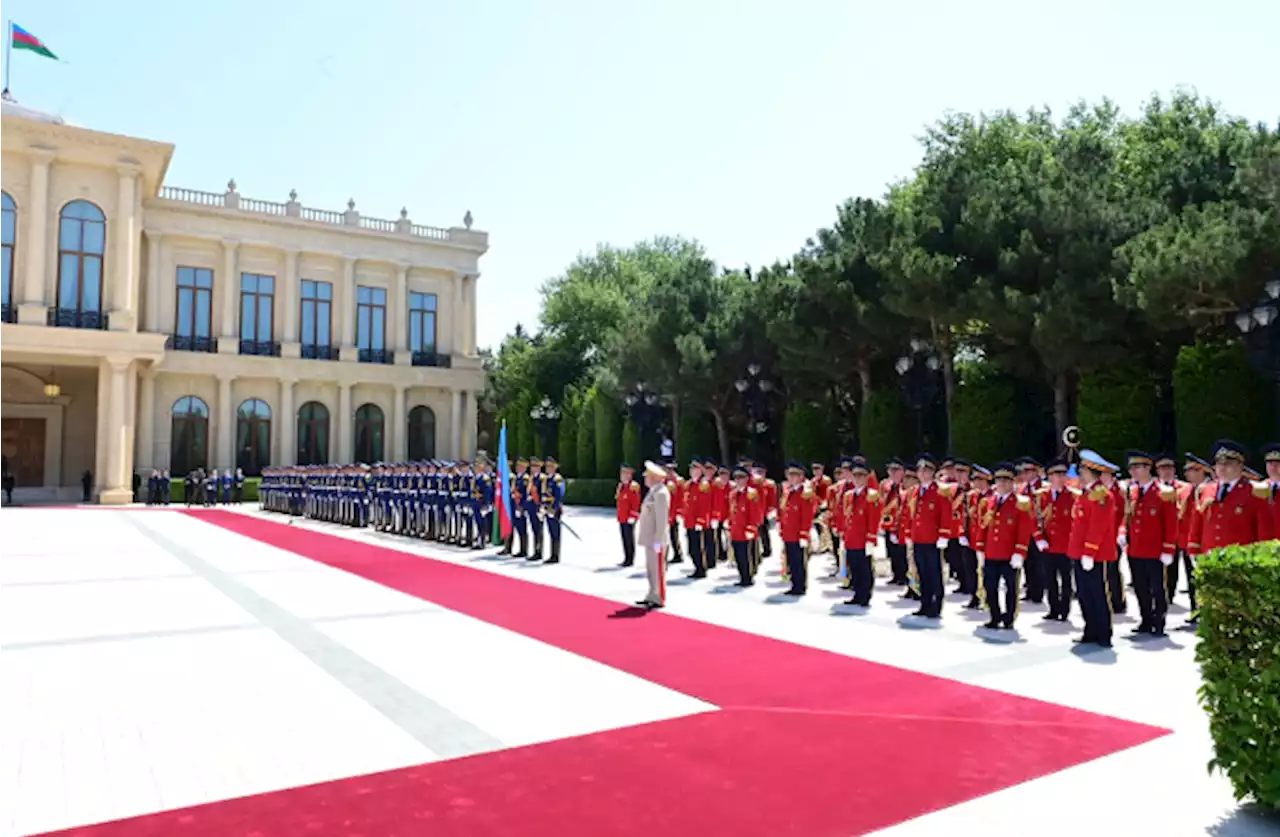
<point>149,661</point>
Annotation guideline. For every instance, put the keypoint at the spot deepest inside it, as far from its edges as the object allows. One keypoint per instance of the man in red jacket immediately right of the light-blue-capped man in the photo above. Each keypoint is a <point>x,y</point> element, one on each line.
<point>1150,537</point>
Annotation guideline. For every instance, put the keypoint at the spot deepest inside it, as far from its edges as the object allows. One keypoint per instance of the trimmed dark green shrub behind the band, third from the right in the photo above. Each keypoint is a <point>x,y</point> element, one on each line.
<point>985,415</point>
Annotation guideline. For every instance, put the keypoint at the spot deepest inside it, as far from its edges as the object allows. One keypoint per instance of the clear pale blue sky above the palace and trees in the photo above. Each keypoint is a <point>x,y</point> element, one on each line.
<point>565,124</point>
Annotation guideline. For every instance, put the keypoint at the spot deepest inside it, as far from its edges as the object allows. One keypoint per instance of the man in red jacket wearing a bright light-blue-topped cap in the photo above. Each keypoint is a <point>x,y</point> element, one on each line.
<point>1092,546</point>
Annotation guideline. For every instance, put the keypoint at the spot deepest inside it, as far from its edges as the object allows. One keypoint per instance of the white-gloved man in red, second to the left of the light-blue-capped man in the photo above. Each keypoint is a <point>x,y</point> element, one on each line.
<point>1005,534</point>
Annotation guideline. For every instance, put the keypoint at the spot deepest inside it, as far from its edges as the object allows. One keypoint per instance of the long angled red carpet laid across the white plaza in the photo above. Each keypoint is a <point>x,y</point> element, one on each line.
<point>810,743</point>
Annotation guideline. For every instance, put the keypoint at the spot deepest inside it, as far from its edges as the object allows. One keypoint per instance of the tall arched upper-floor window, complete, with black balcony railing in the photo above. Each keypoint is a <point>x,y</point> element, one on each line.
<point>81,241</point>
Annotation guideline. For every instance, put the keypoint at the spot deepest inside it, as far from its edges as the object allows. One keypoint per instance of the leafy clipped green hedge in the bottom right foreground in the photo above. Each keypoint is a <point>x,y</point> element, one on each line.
<point>1240,658</point>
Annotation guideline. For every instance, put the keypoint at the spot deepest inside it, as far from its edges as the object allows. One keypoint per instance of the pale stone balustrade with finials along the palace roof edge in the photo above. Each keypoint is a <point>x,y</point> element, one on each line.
<point>234,200</point>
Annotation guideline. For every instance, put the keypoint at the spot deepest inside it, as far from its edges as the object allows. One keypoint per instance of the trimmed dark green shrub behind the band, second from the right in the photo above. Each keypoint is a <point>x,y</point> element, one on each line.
<point>1119,409</point>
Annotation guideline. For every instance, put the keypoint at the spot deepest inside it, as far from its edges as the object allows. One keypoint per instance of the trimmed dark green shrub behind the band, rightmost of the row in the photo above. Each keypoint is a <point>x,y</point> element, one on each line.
<point>1217,394</point>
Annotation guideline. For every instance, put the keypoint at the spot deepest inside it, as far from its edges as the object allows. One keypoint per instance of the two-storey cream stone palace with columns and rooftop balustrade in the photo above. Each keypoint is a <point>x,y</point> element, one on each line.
<point>150,327</point>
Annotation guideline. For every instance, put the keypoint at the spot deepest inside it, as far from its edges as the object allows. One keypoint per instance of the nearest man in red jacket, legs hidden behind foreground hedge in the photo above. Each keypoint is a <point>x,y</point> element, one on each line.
<point>1232,511</point>
